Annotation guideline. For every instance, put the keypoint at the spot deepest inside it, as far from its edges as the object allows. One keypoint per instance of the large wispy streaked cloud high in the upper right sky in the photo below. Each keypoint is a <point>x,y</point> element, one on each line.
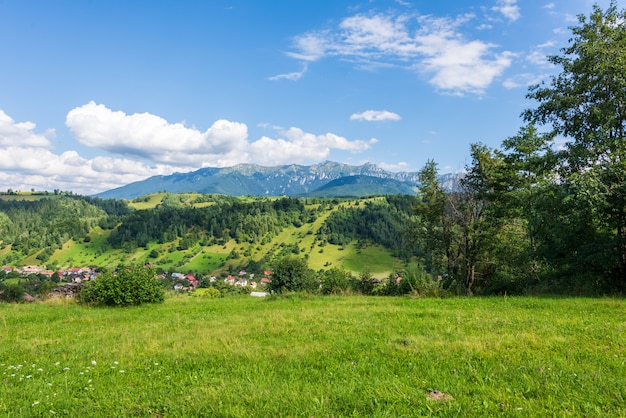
<point>430,45</point>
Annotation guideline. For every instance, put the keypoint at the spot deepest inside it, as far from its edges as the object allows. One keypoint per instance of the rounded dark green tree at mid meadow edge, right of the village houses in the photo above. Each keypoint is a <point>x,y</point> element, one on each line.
<point>291,274</point>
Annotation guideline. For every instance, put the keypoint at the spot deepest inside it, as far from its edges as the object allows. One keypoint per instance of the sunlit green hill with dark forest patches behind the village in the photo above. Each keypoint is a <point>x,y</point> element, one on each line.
<point>205,234</point>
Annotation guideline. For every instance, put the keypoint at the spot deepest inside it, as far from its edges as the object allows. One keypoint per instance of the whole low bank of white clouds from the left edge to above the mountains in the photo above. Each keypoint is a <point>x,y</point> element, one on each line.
<point>144,145</point>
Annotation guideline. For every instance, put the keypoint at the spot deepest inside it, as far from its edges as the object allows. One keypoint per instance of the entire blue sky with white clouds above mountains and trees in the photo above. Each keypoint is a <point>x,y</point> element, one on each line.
<point>98,94</point>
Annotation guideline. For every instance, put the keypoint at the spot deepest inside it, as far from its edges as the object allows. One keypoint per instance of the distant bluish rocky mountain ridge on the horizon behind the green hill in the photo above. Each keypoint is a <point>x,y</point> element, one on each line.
<point>286,180</point>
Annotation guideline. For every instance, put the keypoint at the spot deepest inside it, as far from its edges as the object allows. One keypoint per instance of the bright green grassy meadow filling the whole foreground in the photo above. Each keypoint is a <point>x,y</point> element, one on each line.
<point>316,357</point>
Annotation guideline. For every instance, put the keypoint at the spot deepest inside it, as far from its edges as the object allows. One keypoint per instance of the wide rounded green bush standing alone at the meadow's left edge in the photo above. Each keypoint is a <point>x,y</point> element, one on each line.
<point>128,285</point>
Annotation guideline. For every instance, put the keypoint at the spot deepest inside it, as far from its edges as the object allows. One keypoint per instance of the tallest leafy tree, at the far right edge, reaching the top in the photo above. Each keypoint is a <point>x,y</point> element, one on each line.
<point>586,103</point>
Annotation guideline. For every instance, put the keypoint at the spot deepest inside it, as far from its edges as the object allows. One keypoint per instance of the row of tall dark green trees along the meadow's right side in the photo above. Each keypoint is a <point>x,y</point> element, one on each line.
<point>530,215</point>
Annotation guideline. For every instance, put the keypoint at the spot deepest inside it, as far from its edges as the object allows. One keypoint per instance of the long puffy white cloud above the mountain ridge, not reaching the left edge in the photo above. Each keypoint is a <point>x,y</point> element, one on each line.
<point>225,143</point>
